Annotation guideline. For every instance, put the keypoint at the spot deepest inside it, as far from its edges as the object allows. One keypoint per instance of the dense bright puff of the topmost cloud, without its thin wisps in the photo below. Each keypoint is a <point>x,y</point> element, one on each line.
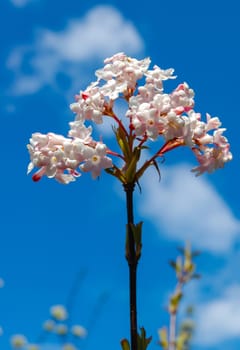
<point>102,32</point>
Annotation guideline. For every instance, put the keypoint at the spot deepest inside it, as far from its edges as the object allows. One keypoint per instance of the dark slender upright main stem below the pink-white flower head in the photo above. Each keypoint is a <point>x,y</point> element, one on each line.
<point>132,264</point>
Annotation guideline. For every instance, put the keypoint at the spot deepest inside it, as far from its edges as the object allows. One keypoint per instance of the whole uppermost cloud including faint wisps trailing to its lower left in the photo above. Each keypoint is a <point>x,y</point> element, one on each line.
<point>101,32</point>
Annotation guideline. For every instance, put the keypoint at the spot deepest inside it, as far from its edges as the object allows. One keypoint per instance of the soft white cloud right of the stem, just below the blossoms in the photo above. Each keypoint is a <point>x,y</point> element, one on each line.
<point>184,207</point>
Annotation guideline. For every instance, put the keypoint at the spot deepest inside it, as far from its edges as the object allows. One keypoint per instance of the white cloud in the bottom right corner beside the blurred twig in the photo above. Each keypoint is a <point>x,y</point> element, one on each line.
<point>219,320</point>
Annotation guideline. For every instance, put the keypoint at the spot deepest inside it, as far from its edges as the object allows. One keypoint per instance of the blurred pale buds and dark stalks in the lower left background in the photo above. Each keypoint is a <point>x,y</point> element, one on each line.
<point>59,328</point>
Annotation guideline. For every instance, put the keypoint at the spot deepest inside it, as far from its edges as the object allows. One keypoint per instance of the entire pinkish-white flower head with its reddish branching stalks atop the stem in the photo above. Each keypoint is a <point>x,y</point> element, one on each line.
<point>151,114</point>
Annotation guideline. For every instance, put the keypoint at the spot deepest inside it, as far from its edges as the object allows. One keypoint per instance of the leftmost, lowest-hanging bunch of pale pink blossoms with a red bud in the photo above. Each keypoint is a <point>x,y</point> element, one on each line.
<point>58,157</point>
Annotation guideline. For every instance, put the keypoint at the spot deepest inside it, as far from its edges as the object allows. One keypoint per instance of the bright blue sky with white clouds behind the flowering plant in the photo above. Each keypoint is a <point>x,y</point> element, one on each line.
<point>50,232</point>
